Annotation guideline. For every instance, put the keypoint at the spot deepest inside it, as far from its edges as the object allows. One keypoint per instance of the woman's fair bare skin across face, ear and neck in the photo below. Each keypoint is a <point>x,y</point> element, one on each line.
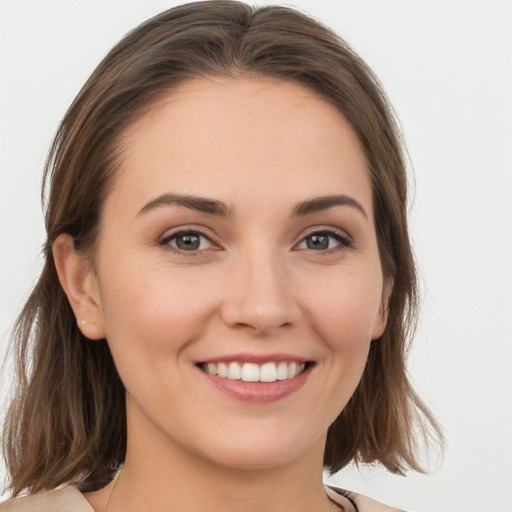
<point>255,286</point>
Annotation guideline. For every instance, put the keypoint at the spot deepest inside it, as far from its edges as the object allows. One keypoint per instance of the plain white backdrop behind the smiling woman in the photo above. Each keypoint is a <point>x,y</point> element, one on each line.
<point>447,67</point>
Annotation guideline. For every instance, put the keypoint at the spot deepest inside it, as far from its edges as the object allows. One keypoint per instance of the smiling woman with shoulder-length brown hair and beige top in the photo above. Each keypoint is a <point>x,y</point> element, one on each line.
<point>228,281</point>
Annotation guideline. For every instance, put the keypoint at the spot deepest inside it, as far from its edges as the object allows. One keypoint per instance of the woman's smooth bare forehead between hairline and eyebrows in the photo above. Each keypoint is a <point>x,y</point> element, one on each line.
<point>229,137</point>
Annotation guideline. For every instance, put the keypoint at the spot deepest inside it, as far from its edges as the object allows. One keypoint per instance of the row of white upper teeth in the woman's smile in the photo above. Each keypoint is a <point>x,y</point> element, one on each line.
<point>251,372</point>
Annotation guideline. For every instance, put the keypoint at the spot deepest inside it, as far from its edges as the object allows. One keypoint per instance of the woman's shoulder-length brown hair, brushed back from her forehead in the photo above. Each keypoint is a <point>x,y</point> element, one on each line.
<point>67,420</point>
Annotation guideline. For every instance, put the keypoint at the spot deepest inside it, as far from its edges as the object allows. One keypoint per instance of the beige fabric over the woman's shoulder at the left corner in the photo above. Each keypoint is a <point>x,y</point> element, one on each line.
<point>66,499</point>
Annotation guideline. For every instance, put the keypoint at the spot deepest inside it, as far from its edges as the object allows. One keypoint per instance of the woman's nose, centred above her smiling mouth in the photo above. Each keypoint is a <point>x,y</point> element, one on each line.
<point>260,297</point>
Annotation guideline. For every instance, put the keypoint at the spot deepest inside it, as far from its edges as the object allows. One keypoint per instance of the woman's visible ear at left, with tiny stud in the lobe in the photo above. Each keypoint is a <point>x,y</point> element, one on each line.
<point>79,283</point>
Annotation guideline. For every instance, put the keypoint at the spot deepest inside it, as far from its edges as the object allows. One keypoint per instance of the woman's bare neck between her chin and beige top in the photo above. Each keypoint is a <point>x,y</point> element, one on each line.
<point>157,478</point>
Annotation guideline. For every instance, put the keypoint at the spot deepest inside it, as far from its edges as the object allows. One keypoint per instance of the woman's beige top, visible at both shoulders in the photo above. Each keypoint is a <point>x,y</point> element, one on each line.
<point>70,499</point>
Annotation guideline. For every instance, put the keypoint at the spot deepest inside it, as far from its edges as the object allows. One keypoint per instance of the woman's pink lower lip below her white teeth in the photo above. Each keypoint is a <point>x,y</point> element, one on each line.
<point>259,392</point>
